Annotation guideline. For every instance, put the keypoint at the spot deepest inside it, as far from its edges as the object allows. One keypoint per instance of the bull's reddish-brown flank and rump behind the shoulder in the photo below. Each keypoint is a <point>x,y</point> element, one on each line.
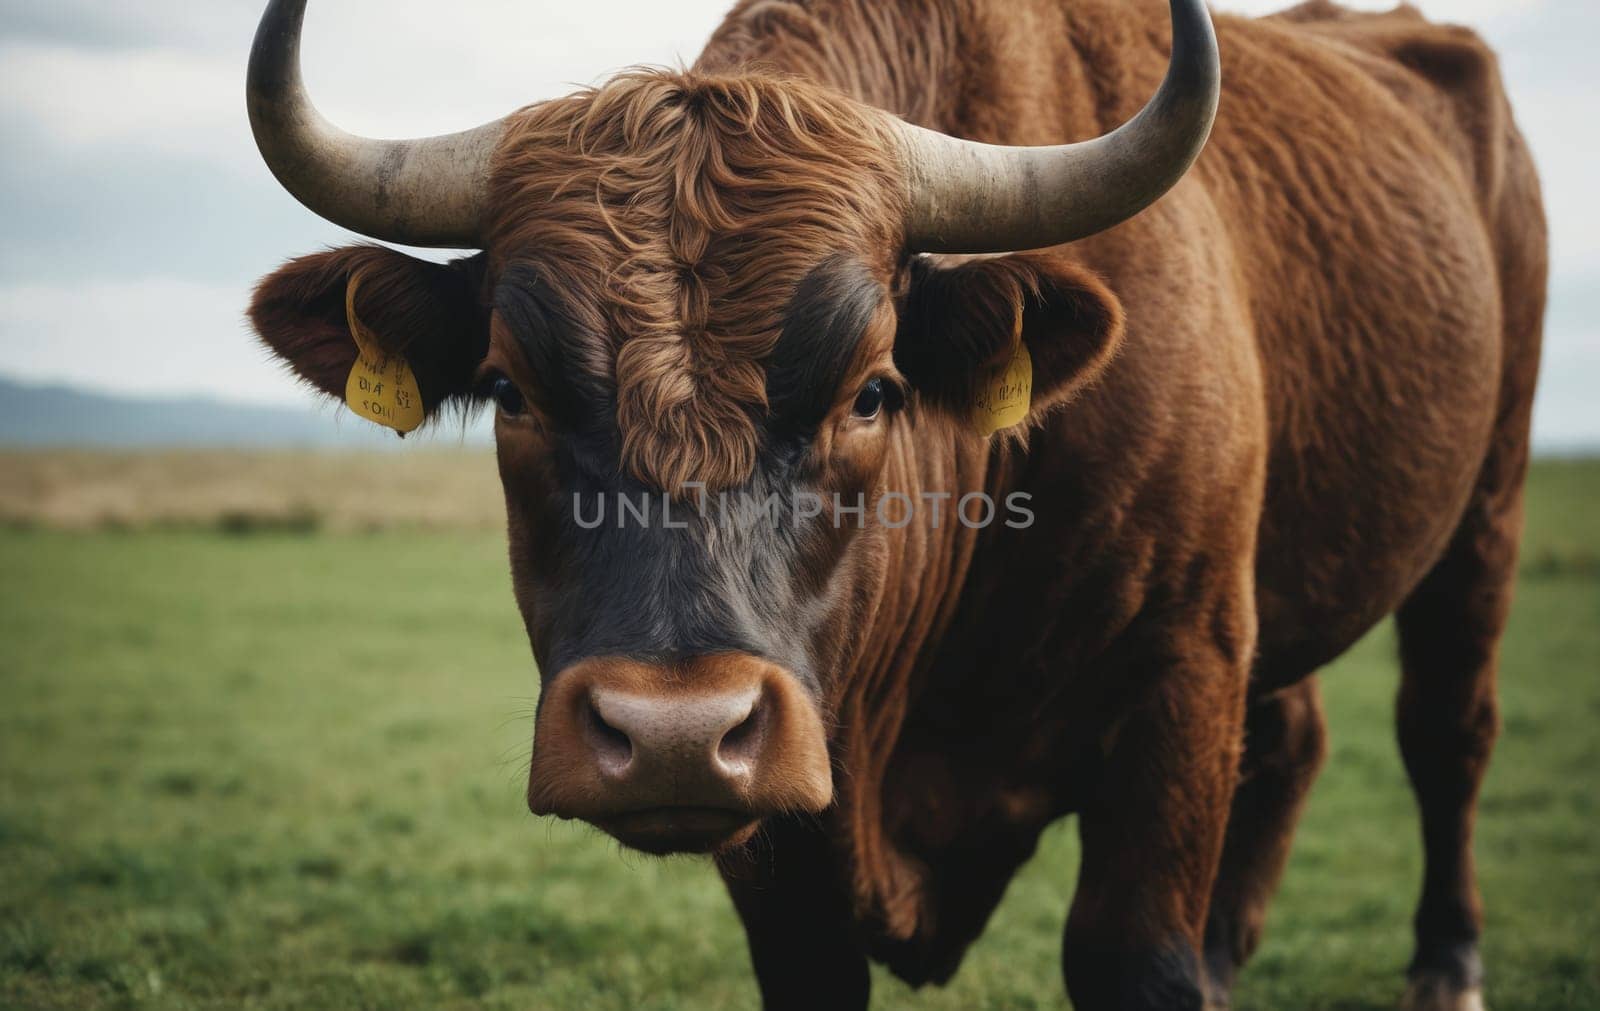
<point>1366,167</point>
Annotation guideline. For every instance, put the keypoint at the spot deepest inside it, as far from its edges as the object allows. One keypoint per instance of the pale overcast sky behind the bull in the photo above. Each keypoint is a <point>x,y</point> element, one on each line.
<point>138,215</point>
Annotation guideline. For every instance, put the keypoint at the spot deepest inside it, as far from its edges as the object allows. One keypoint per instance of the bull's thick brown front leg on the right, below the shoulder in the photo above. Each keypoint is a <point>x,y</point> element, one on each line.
<point>1153,837</point>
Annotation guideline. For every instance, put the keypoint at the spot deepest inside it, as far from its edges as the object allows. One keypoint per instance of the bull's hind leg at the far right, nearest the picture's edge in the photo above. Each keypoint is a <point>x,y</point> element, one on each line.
<point>1447,724</point>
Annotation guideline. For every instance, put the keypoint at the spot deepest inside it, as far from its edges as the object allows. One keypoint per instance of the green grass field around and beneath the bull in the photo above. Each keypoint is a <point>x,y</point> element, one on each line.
<point>284,770</point>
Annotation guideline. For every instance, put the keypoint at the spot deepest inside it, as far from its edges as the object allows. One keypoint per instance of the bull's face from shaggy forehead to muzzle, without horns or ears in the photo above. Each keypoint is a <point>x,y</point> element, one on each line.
<point>684,367</point>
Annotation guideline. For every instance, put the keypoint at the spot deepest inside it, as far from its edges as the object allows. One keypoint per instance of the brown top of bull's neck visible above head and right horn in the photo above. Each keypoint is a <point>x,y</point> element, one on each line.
<point>1006,71</point>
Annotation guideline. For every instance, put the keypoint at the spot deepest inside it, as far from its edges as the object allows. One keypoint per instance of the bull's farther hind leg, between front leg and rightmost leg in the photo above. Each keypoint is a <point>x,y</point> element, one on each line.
<point>1286,743</point>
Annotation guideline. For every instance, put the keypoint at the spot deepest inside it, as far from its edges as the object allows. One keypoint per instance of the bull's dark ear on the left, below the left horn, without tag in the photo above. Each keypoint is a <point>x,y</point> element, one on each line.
<point>431,314</point>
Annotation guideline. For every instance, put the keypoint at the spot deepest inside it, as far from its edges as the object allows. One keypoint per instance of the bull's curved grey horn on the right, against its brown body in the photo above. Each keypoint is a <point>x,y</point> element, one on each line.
<point>970,198</point>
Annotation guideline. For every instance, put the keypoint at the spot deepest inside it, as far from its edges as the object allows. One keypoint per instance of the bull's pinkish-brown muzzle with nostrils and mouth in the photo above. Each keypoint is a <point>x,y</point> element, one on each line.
<point>682,757</point>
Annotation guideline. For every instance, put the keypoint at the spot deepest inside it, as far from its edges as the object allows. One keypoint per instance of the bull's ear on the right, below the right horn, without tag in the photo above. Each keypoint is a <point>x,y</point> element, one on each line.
<point>958,324</point>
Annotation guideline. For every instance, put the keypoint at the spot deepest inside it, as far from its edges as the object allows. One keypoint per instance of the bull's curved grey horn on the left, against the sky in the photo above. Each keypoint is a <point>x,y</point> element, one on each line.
<point>426,193</point>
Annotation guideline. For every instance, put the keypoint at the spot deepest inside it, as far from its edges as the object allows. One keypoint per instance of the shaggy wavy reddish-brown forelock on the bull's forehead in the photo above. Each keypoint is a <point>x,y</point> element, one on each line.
<point>676,214</point>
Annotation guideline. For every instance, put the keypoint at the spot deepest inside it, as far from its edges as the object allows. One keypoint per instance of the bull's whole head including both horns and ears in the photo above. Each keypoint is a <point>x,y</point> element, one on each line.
<point>695,286</point>
